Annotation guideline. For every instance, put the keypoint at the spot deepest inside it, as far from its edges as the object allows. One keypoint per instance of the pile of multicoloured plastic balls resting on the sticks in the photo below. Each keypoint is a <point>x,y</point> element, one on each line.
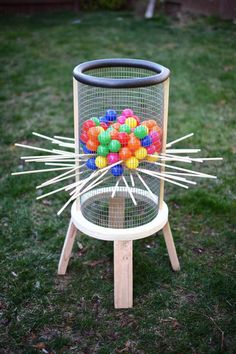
<point>113,138</point>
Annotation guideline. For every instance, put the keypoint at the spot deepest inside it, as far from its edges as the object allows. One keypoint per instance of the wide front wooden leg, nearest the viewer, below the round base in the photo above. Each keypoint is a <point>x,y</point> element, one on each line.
<point>123,274</point>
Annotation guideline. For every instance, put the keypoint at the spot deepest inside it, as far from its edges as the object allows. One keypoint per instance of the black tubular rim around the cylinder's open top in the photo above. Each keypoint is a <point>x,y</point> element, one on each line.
<point>160,73</point>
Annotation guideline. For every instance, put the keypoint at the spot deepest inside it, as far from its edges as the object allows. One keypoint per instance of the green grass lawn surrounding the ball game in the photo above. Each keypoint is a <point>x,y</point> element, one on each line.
<point>188,312</point>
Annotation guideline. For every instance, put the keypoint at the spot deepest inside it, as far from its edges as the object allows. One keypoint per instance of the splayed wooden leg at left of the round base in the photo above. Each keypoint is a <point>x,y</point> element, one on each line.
<point>67,248</point>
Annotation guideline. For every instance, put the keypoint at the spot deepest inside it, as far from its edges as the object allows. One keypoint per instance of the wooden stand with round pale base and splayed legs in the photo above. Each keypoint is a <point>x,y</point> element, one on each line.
<point>123,249</point>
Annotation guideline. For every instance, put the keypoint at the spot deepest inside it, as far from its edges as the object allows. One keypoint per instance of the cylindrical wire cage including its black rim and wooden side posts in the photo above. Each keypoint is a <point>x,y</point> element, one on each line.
<point>118,84</point>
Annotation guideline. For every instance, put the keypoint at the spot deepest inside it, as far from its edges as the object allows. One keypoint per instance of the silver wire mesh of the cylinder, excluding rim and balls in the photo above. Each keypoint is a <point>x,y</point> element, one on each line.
<point>97,205</point>
